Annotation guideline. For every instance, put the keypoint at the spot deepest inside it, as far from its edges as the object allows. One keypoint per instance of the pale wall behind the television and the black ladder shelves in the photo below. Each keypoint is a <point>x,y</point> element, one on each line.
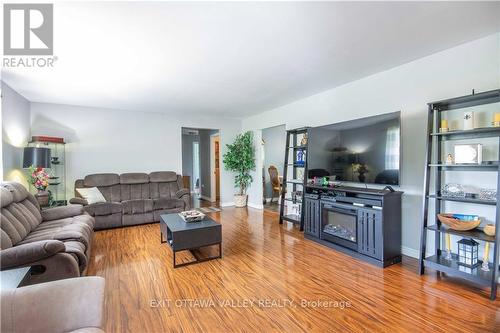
<point>451,73</point>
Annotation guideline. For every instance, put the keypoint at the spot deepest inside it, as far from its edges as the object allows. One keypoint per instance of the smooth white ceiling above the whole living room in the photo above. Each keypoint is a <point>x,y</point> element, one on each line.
<point>236,59</point>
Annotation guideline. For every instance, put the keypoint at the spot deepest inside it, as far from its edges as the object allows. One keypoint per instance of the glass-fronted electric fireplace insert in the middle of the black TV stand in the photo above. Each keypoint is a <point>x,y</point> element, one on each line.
<point>339,224</point>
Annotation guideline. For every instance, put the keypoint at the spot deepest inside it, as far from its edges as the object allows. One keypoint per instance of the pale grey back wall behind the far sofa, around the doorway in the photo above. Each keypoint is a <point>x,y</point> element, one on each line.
<point>105,140</point>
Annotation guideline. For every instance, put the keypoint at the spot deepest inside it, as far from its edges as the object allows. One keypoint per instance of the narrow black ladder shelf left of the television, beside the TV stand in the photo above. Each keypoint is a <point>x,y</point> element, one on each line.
<point>293,146</point>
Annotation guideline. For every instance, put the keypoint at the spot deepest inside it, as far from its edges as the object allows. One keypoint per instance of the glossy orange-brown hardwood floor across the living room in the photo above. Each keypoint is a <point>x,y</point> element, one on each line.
<point>274,265</point>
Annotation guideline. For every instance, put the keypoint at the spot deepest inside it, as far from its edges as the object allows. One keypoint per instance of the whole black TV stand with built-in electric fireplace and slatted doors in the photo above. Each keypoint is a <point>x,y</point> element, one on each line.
<point>364,223</point>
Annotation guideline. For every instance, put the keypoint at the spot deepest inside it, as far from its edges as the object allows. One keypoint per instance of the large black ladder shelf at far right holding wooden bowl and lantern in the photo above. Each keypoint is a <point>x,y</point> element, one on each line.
<point>435,167</point>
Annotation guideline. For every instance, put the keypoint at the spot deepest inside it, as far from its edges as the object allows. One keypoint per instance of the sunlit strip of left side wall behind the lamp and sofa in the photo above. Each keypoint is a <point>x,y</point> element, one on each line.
<point>15,133</point>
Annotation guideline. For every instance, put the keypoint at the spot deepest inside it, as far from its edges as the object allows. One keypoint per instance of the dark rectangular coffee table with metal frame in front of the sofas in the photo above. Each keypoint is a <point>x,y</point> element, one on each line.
<point>181,236</point>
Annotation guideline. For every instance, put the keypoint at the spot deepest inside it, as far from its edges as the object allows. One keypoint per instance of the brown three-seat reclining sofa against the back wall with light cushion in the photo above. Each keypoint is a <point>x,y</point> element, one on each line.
<point>133,198</point>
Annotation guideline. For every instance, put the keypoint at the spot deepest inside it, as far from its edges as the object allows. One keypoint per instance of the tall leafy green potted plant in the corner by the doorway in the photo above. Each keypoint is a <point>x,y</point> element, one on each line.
<point>240,158</point>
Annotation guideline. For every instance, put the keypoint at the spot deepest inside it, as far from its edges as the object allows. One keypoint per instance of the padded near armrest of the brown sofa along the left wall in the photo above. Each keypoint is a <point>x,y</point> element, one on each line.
<point>21,255</point>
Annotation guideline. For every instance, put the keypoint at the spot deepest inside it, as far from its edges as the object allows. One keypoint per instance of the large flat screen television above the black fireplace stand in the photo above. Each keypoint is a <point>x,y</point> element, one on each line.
<point>366,150</point>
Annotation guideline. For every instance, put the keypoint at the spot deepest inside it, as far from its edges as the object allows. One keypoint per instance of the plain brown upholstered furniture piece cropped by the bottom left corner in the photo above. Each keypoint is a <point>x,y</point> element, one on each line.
<point>58,306</point>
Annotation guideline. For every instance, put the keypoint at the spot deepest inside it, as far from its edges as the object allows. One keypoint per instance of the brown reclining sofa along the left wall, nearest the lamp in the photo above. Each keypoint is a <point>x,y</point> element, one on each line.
<point>56,241</point>
